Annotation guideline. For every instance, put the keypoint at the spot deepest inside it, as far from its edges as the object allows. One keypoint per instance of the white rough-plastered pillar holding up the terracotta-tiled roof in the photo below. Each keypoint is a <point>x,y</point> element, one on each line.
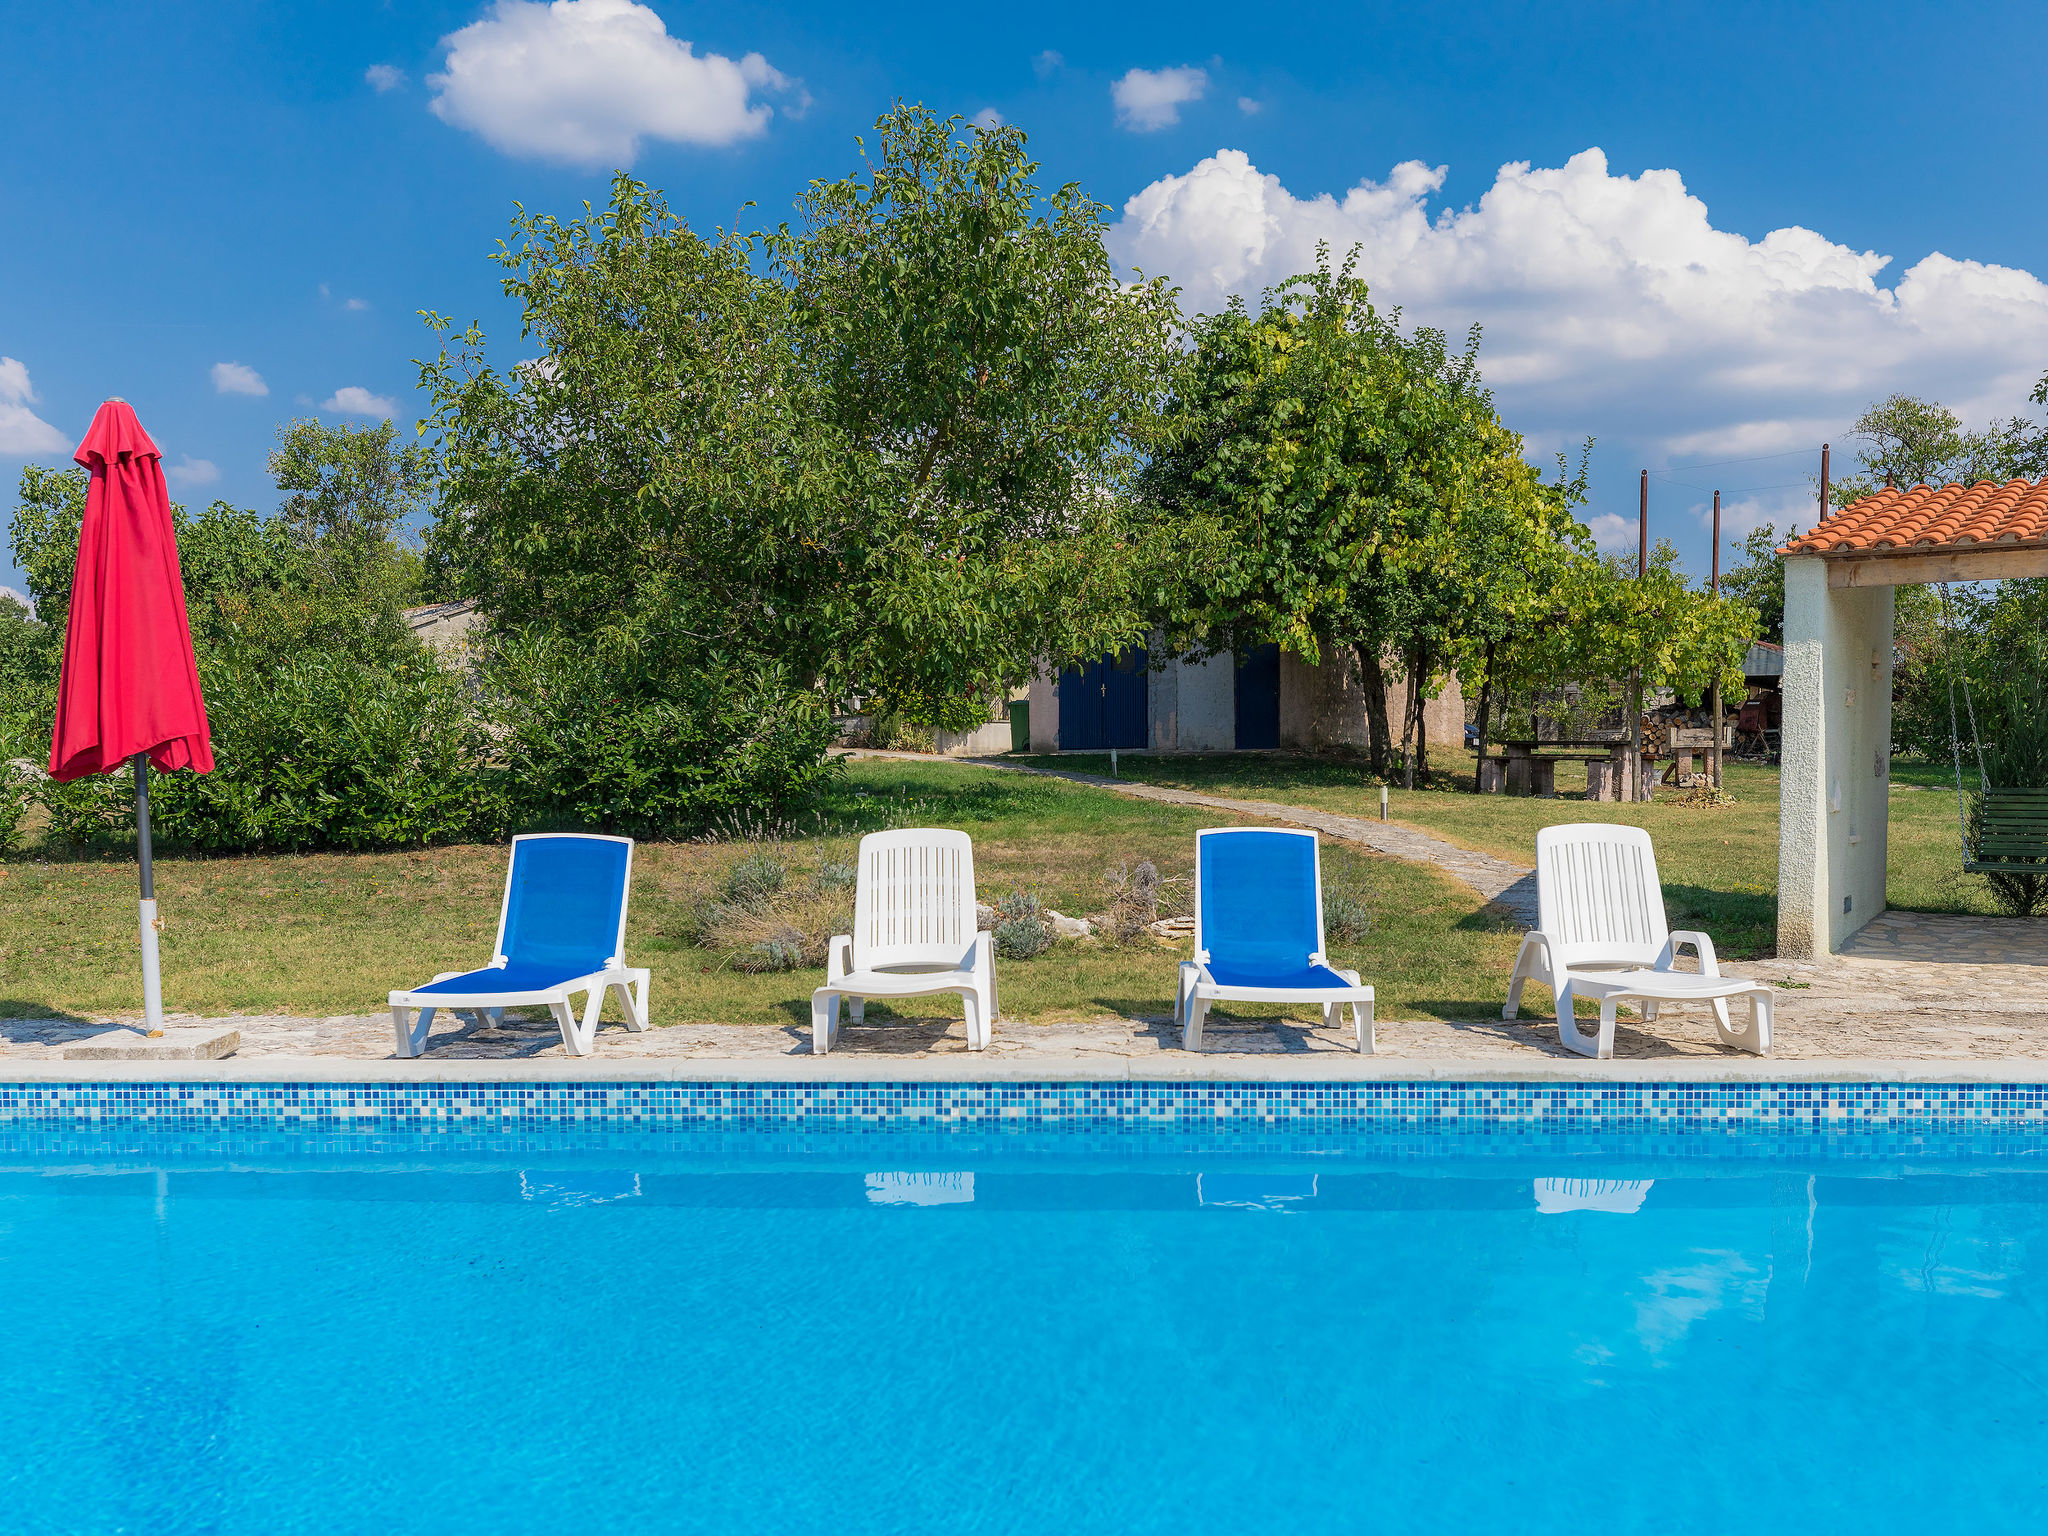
<point>1834,790</point>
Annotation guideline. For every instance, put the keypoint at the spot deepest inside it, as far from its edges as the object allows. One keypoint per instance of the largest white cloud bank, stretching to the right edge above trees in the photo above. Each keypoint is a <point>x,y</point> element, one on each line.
<point>1615,308</point>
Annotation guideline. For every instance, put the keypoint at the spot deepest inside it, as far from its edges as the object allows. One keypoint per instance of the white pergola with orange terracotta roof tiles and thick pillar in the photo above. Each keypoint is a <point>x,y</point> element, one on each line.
<point>1838,691</point>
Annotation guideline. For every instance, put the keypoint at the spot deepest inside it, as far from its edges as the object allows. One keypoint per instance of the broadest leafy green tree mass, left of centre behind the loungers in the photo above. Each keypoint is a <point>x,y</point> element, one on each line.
<point>880,452</point>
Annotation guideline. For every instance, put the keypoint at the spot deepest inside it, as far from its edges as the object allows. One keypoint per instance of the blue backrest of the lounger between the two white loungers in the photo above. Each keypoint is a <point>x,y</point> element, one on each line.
<point>1258,896</point>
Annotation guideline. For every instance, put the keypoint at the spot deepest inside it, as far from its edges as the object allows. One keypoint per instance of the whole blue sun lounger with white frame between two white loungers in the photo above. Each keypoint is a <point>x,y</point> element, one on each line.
<point>1258,933</point>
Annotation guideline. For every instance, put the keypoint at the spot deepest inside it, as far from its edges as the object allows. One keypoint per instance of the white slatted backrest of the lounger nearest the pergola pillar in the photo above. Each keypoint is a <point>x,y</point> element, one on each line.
<point>1598,894</point>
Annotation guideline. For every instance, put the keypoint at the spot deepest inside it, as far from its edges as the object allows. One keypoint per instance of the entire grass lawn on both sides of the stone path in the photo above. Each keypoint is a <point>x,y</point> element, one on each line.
<point>335,933</point>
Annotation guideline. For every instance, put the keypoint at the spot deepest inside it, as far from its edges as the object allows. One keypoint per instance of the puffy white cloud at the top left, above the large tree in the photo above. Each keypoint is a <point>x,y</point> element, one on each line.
<point>585,81</point>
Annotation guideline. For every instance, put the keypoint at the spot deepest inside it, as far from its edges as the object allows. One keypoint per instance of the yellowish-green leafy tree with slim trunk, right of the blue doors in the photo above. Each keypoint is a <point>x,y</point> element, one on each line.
<point>1328,450</point>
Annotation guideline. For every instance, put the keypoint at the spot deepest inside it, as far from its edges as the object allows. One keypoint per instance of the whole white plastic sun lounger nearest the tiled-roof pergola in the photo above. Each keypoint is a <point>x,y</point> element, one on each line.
<point>1601,933</point>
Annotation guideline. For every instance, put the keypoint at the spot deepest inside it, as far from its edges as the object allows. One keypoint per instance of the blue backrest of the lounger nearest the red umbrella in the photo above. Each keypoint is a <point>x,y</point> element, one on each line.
<point>566,900</point>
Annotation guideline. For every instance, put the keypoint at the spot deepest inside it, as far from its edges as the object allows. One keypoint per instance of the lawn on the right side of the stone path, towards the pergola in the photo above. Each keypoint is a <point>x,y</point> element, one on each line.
<point>1719,863</point>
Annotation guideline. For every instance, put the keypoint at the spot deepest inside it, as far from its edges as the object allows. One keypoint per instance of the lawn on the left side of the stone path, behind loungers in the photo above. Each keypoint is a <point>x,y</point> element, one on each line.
<point>335,933</point>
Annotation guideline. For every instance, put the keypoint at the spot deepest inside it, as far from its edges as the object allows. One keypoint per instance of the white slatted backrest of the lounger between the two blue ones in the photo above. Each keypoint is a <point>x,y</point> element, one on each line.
<point>916,900</point>
